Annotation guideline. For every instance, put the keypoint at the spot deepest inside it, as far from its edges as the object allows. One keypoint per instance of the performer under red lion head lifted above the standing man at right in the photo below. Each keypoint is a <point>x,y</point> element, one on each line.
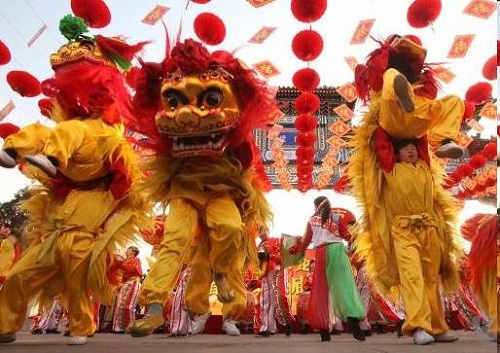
<point>402,86</point>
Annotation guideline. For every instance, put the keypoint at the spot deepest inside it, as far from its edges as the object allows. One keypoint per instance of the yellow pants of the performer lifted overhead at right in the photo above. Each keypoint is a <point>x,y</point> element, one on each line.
<point>439,119</point>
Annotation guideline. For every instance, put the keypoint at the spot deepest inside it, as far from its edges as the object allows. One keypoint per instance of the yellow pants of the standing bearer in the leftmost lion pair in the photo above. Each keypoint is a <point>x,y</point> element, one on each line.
<point>69,272</point>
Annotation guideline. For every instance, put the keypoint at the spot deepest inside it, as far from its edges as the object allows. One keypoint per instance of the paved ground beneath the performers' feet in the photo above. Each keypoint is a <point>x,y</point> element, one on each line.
<point>470,342</point>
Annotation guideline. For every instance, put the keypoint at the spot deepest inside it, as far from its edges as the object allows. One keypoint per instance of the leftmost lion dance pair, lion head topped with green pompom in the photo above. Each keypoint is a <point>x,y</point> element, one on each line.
<point>88,204</point>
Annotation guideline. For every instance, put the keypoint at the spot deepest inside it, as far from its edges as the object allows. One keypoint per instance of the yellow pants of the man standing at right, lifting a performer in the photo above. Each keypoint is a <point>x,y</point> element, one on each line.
<point>418,254</point>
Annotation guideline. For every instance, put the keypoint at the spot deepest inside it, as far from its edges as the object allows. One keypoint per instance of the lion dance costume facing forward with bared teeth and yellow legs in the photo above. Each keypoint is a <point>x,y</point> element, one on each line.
<point>203,107</point>
